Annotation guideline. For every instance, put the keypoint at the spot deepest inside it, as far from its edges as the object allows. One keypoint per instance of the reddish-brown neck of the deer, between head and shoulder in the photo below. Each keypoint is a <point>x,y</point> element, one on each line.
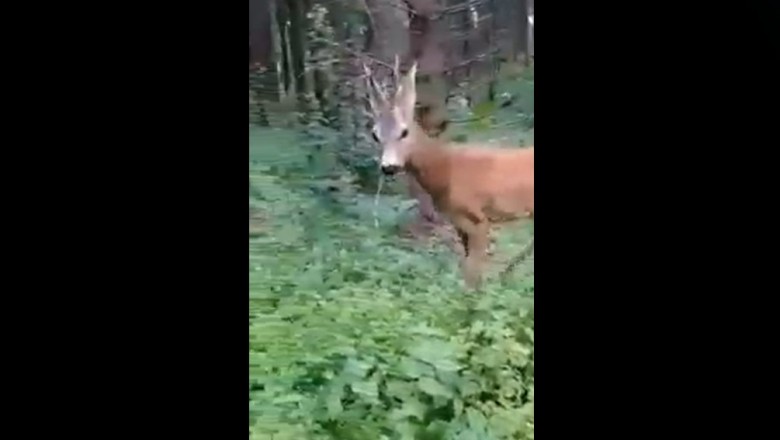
<point>428,163</point>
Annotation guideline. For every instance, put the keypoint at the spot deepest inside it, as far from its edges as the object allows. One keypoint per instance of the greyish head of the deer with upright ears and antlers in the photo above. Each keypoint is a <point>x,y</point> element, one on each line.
<point>393,118</point>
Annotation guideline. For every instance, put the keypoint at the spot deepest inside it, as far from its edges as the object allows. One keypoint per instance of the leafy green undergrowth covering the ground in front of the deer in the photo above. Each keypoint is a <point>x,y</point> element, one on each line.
<point>357,333</point>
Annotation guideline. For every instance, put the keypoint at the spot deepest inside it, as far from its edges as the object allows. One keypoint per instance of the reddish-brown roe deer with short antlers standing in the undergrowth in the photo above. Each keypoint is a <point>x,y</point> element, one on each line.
<point>473,186</point>
